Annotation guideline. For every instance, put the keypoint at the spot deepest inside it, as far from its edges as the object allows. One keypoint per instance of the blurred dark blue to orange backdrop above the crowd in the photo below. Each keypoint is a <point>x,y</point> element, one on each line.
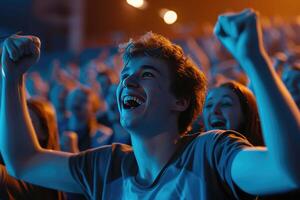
<point>77,24</point>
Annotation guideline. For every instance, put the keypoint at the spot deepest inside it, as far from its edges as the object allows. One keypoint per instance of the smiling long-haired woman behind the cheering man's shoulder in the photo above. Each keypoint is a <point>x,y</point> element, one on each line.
<point>232,106</point>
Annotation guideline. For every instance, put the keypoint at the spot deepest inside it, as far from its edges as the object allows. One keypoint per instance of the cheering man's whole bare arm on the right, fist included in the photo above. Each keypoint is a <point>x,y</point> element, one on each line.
<point>275,168</point>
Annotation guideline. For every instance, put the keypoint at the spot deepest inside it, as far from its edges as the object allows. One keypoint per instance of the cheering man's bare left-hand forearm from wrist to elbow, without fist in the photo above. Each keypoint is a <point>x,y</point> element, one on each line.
<point>18,141</point>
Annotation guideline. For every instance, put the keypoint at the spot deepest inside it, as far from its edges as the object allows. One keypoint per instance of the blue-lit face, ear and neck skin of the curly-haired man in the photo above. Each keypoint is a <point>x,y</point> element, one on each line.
<point>153,125</point>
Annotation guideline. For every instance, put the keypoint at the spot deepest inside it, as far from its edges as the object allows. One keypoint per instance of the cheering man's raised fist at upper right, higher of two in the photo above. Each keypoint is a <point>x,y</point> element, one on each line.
<point>241,34</point>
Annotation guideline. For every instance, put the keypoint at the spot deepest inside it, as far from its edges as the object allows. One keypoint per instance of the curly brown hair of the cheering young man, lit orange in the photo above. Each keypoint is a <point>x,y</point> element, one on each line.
<point>187,81</point>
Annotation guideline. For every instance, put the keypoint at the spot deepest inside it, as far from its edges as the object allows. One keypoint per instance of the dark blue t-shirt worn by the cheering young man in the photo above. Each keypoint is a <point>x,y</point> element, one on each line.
<point>199,169</point>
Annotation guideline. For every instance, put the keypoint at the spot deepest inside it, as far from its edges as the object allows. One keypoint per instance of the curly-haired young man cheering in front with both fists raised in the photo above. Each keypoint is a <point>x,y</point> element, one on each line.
<point>159,95</point>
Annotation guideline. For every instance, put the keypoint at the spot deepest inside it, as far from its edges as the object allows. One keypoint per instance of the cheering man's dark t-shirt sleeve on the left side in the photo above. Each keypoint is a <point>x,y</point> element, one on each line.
<point>89,168</point>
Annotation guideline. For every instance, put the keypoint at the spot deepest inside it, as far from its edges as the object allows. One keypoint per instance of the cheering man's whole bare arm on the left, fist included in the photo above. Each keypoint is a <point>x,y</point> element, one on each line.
<point>23,156</point>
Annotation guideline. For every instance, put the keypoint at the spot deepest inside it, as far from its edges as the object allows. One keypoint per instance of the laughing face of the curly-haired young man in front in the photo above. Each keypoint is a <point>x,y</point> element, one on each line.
<point>144,99</point>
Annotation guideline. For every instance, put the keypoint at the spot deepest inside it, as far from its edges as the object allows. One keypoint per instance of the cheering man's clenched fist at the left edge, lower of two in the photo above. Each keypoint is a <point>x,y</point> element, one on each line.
<point>18,54</point>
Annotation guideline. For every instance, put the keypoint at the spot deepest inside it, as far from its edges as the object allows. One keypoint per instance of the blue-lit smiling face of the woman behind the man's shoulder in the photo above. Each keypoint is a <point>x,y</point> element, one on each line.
<point>222,110</point>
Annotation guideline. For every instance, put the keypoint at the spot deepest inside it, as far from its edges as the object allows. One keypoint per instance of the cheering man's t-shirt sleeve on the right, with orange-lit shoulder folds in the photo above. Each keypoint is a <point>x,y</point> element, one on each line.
<point>223,147</point>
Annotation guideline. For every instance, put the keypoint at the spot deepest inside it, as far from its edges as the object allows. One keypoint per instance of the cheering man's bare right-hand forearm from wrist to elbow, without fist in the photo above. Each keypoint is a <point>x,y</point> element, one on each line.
<point>280,118</point>
